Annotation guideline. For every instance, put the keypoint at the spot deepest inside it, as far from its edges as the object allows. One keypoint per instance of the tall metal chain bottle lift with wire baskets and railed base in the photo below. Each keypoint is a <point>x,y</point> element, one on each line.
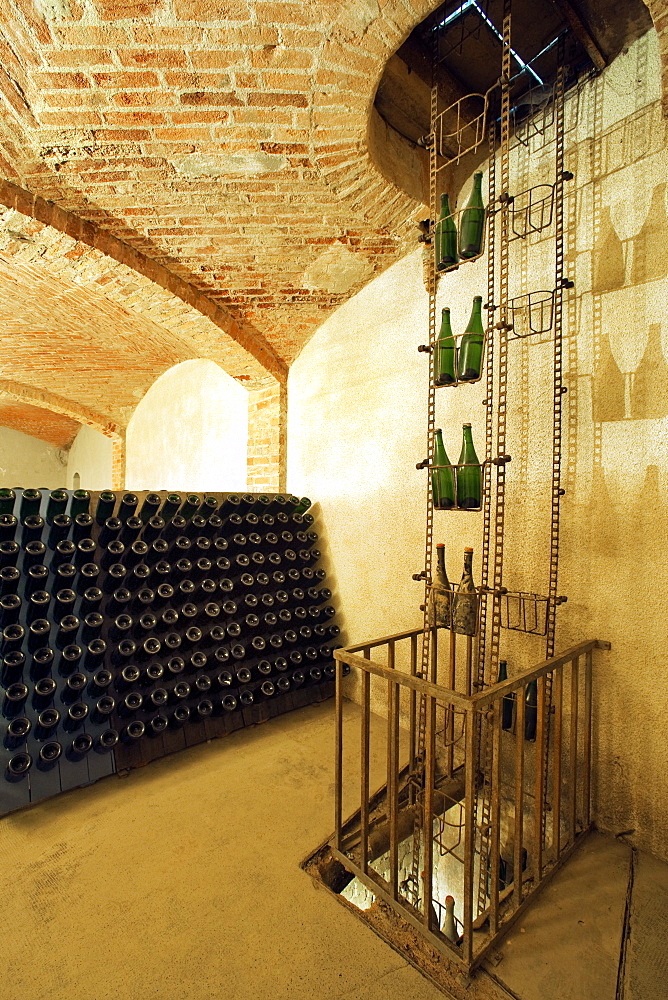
<point>488,785</point>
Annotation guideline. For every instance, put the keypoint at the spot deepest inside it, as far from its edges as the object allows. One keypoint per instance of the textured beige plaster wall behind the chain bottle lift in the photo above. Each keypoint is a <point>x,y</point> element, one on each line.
<point>357,413</point>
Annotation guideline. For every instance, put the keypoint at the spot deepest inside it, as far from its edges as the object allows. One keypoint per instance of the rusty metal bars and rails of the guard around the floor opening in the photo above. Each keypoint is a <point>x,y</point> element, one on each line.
<point>506,902</point>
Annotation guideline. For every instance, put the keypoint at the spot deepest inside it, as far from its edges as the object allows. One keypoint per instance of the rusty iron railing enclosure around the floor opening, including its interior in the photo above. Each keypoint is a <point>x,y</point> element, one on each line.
<point>538,814</point>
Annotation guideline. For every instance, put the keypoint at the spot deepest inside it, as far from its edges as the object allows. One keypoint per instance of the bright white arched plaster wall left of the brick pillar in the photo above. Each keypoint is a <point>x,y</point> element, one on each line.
<point>189,432</point>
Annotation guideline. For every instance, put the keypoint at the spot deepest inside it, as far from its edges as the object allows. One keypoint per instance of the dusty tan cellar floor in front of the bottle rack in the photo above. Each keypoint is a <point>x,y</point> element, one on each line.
<point>182,882</point>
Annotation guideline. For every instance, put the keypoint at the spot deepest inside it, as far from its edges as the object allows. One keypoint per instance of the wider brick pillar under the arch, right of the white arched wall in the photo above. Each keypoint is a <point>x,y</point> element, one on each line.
<point>267,438</point>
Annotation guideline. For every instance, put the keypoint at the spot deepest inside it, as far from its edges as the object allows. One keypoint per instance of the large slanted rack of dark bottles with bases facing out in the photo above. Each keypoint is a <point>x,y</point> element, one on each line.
<point>134,625</point>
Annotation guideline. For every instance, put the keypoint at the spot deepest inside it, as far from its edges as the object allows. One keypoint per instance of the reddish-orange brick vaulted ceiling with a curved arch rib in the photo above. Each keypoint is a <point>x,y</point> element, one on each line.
<point>201,181</point>
